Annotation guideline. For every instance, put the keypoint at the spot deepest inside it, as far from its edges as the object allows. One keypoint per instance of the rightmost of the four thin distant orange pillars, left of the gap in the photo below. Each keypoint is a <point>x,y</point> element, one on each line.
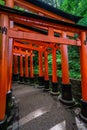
<point>31,69</point>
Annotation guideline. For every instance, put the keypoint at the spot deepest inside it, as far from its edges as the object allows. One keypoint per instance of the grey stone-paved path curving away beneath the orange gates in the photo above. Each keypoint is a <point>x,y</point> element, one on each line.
<point>40,111</point>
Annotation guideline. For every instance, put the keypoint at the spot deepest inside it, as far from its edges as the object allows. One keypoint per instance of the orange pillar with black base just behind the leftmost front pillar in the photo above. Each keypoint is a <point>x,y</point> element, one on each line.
<point>9,80</point>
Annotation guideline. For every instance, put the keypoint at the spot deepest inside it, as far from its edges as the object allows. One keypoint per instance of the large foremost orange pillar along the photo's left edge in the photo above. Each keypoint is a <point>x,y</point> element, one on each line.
<point>4,22</point>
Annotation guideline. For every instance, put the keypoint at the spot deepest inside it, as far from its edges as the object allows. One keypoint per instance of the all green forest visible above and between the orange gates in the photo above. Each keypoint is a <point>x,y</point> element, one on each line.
<point>75,7</point>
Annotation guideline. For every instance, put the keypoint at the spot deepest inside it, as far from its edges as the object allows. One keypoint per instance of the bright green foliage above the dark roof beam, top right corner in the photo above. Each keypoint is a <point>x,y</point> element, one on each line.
<point>75,7</point>
